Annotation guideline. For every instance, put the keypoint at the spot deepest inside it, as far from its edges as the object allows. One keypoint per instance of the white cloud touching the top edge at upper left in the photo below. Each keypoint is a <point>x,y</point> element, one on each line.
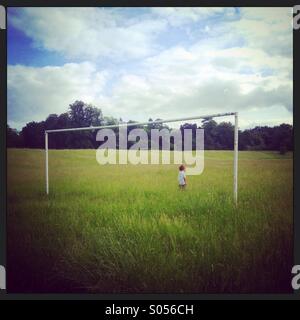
<point>87,33</point>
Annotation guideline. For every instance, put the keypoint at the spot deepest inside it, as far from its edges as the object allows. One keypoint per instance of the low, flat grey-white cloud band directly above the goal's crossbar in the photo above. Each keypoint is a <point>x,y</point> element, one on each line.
<point>141,99</point>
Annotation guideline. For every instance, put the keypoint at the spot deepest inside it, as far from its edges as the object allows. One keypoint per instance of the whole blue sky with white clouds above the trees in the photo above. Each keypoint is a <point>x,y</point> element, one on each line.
<point>137,63</point>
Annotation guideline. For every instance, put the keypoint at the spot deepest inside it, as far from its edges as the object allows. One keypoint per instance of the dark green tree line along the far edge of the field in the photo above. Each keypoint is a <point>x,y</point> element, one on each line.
<point>216,136</point>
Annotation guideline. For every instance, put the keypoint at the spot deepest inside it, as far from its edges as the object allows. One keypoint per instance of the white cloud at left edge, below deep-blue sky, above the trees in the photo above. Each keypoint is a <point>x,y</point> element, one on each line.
<point>34,93</point>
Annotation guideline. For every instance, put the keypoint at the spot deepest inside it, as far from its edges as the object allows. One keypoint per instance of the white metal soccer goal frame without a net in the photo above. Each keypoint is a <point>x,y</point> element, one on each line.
<point>235,160</point>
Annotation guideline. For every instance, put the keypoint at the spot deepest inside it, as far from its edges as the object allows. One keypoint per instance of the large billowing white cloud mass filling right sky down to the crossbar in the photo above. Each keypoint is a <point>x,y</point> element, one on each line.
<point>187,81</point>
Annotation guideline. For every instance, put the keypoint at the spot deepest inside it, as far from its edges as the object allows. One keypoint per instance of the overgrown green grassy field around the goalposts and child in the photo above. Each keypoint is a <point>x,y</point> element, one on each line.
<point>129,229</point>
